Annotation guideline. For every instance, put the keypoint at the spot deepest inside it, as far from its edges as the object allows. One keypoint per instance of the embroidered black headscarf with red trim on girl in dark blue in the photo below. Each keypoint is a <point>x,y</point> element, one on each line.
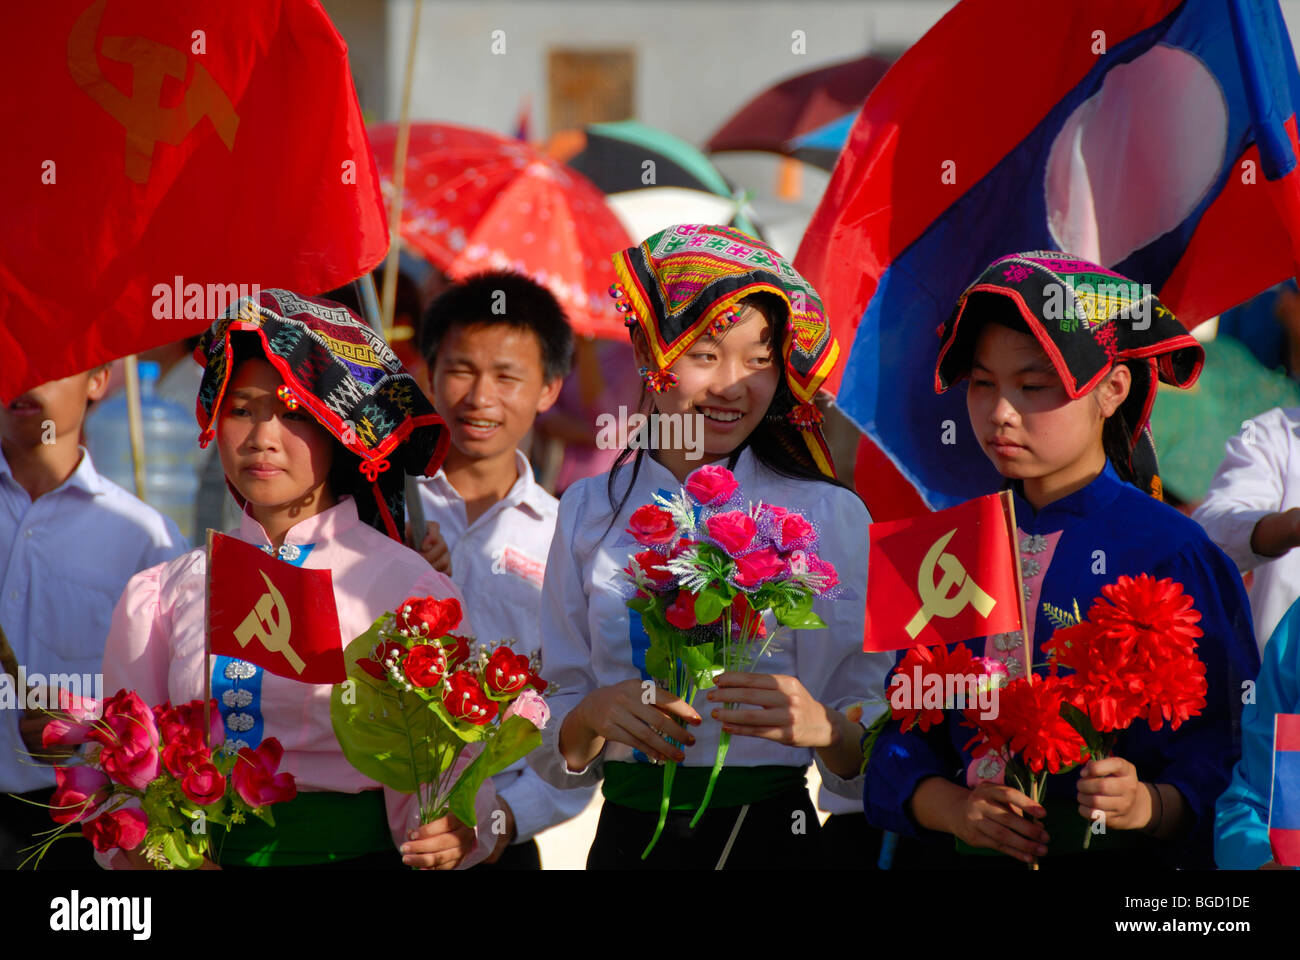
<point>1086,319</point>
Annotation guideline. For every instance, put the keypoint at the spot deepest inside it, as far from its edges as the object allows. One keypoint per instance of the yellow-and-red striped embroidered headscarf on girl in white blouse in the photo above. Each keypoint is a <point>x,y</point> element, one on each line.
<point>687,280</point>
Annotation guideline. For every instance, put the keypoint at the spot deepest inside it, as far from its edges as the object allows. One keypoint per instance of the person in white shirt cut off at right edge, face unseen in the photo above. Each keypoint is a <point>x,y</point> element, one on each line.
<point>1253,512</point>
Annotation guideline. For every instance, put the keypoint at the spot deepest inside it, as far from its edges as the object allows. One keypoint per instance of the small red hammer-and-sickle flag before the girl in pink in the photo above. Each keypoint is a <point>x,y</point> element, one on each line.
<point>274,615</point>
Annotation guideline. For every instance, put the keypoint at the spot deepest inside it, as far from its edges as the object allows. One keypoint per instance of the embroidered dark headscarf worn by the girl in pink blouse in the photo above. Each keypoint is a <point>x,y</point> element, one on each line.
<point>346,377</point>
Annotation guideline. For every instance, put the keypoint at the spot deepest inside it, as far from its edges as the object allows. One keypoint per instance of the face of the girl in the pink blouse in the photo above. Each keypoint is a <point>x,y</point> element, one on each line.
<point>274,456</point>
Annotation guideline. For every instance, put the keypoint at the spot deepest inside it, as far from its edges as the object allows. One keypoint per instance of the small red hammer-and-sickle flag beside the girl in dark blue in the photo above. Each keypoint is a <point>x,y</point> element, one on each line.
<point>943,578</point>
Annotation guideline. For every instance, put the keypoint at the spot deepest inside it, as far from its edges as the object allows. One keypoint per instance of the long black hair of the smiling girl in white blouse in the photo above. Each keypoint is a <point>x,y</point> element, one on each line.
<point>775,443</point>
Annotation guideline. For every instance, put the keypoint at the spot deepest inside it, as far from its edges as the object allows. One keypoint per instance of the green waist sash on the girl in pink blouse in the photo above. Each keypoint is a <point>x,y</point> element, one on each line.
<point>314,828</point>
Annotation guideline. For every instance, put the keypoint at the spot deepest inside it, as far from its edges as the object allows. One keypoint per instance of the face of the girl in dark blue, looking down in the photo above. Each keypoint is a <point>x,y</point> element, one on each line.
<point>1028,425</point>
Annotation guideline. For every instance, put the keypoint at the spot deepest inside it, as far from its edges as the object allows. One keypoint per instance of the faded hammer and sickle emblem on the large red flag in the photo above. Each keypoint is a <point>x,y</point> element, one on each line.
<point>145,120</point>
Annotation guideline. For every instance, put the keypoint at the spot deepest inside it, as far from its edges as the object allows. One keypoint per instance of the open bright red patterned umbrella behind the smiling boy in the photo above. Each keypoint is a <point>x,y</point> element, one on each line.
<point>476,201</point>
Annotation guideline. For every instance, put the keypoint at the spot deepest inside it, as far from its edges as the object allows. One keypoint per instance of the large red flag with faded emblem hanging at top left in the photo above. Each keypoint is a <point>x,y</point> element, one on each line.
<point>163,159</point>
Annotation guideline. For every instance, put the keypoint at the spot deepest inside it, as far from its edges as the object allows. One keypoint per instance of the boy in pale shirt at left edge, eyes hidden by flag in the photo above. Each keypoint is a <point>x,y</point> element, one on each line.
<point>70,542</point>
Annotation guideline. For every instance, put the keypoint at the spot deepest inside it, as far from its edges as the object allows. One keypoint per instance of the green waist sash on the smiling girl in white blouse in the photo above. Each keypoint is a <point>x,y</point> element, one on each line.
<point>640,786</point>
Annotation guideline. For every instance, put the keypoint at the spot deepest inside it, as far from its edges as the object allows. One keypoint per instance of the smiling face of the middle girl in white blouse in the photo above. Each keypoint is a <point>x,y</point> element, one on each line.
<point>729,382</point>
